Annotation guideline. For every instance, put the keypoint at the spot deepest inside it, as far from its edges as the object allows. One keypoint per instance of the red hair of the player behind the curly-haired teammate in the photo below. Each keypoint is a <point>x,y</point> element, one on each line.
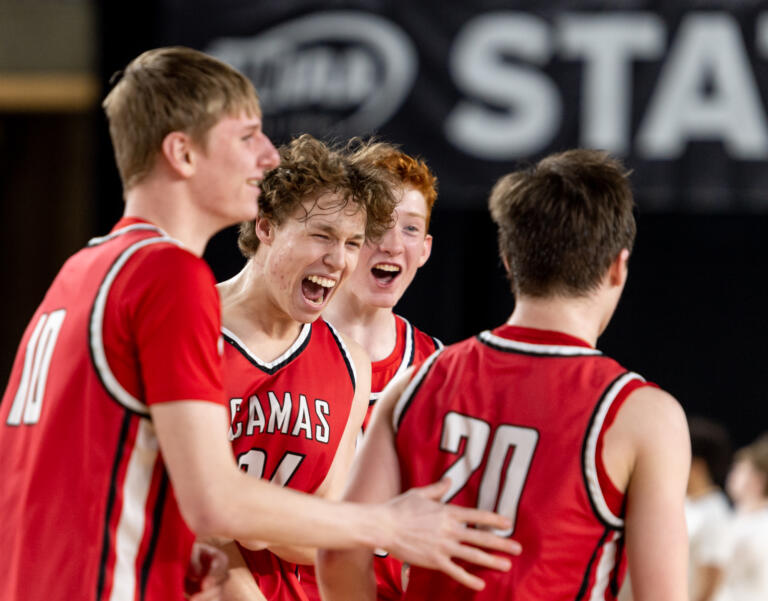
<point>406,170</point>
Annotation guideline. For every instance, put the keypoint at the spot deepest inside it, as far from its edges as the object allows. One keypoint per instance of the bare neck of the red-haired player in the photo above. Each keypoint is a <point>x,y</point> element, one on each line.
<point>373,328</point>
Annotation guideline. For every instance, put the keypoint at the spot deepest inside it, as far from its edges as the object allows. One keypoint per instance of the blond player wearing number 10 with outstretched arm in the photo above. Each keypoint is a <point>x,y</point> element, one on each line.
<point>117,379</point>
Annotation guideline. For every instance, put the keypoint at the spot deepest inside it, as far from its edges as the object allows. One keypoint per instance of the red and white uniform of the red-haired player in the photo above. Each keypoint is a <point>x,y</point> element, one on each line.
<point>412,346</point>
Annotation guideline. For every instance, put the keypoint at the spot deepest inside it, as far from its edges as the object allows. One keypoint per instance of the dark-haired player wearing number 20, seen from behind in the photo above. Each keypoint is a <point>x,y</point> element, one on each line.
<point>584,457</point>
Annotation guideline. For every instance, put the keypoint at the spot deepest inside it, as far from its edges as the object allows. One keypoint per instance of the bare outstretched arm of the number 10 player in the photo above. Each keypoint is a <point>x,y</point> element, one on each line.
<point>217,499</point>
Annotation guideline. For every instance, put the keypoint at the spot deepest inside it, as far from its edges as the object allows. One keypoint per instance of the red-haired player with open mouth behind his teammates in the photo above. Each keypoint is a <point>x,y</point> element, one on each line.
<point>363,308</point>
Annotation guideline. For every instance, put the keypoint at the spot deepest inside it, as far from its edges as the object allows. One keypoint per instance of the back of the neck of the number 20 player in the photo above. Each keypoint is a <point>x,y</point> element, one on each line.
<point>576,317</point>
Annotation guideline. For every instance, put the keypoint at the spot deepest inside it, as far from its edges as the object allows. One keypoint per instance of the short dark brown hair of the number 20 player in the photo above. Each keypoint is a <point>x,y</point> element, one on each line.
<point>563,221</point>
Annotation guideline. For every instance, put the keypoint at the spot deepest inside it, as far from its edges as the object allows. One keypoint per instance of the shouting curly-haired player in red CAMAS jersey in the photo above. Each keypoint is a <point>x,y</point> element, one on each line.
<point>291,378</point>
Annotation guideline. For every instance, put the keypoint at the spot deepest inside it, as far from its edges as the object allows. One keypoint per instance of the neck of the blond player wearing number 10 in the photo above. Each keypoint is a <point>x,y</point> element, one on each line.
<point>166,206</point>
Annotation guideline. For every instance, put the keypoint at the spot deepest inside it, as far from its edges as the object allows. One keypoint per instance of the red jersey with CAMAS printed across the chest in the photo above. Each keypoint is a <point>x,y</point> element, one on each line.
<point>288,418</point>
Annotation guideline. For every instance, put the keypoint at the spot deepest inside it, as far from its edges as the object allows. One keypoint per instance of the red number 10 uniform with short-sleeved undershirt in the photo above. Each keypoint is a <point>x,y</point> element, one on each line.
<point>87,509</point>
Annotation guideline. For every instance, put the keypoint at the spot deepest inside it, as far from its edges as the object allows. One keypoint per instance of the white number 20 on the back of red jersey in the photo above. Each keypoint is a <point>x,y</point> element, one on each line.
<point>492,496</point>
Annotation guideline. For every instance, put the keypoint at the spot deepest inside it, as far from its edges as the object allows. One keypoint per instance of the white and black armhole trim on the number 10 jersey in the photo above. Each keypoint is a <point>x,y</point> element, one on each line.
<point>96,329</point>
